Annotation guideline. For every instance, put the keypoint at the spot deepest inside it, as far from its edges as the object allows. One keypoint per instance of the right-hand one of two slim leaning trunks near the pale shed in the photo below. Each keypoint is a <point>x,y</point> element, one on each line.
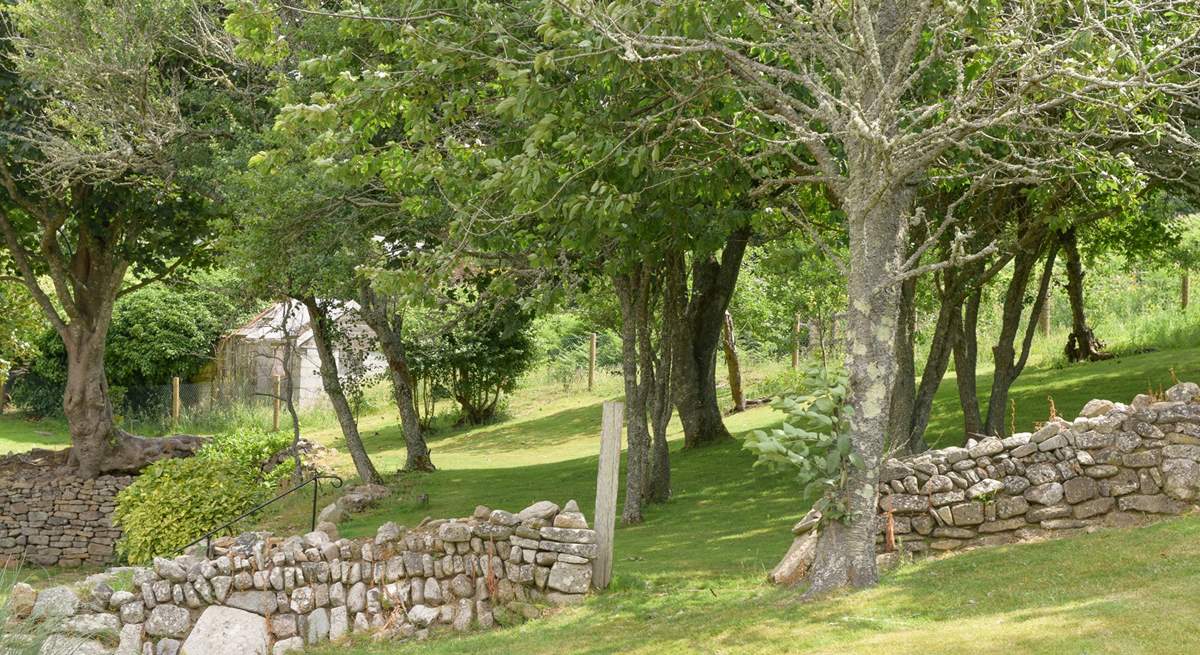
<point>388,327</point>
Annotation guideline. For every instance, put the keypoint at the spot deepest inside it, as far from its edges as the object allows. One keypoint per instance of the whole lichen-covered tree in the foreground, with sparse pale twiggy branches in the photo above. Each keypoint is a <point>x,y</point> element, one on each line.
<point>881,97</point>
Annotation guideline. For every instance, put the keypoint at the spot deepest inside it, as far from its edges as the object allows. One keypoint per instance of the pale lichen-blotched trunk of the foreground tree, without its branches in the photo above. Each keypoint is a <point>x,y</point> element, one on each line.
<point>845,551</point>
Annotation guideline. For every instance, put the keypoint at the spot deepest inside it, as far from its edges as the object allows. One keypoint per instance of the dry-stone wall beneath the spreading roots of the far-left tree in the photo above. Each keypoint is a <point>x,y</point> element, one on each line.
<point>49,518</point>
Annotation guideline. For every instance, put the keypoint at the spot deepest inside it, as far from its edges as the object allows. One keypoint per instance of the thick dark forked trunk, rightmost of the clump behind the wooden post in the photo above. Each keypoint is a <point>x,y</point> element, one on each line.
<point>697,336</point>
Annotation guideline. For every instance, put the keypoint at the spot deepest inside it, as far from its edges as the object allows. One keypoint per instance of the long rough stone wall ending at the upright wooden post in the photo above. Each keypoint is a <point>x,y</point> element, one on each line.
<point>272,596</point>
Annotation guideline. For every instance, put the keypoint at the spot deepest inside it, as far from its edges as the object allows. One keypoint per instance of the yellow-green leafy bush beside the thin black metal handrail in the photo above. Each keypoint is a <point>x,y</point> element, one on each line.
<point>175,502</point>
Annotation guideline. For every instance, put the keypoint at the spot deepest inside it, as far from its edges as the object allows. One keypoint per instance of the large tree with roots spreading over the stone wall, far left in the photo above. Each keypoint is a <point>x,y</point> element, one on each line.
<point>109,121</point>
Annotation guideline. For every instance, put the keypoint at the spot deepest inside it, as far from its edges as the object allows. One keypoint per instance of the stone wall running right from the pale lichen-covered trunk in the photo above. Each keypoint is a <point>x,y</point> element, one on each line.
<point>1115,465</point>
